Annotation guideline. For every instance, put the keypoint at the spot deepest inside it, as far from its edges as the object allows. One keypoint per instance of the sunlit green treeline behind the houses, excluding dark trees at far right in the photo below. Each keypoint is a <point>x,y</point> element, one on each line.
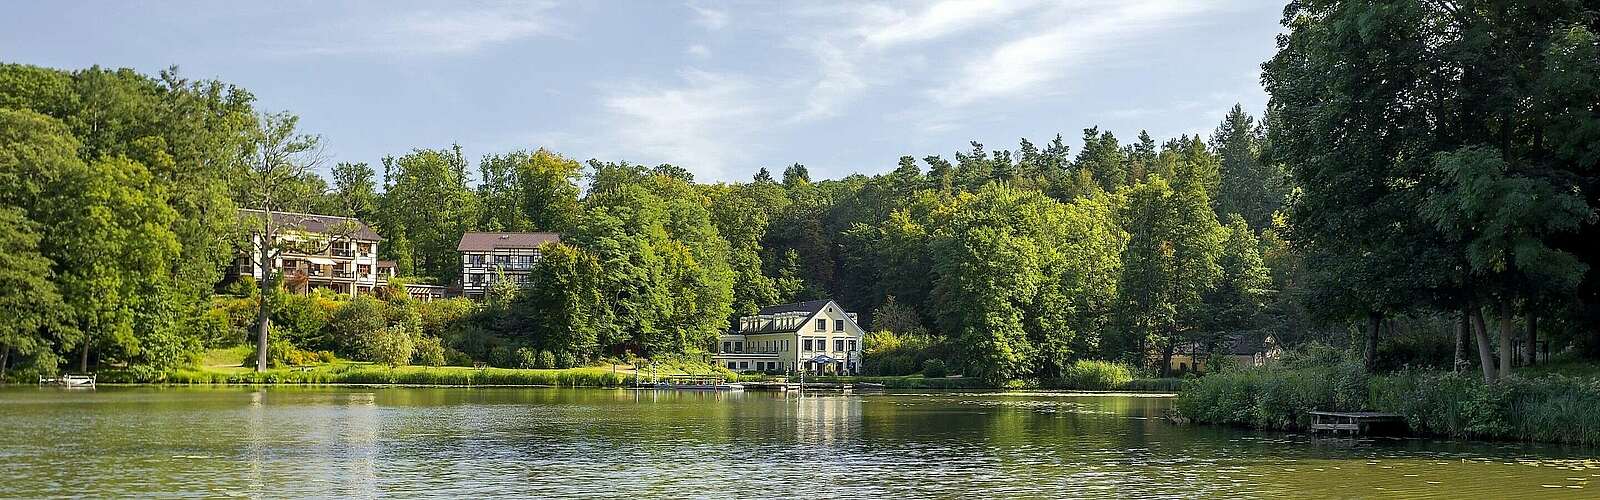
<point>1020,262</point>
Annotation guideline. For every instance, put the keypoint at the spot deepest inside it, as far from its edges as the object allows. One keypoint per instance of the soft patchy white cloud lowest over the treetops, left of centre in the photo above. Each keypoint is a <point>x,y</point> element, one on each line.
<point>703,126</point>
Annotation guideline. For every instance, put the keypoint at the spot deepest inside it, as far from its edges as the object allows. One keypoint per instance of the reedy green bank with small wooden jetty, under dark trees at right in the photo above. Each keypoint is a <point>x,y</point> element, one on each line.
<point>1521,408</point>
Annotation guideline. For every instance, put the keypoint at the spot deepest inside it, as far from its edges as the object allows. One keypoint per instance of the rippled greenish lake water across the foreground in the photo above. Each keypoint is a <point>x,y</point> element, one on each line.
<point>618,443</point>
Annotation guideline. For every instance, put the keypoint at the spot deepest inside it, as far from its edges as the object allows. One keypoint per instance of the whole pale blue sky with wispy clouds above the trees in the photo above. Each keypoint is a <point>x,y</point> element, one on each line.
<point>721,89</point>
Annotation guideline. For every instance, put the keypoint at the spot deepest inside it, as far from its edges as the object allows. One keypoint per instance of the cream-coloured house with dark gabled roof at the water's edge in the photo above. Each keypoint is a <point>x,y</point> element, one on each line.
<point>818,337</point>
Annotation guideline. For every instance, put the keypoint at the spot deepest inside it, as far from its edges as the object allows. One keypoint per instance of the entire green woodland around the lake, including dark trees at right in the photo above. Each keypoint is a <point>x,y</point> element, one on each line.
<point>1423,182</point>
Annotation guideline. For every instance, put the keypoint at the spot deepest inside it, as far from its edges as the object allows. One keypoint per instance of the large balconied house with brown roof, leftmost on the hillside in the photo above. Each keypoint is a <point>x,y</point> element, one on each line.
<point>329,252</point>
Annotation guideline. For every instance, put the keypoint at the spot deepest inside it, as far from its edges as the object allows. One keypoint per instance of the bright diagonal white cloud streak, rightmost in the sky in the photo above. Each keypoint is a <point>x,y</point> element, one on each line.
<point>1094,31</point>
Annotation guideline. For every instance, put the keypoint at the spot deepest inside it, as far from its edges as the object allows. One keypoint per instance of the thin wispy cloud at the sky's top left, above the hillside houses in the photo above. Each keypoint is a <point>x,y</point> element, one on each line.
<point>458,30</point>
